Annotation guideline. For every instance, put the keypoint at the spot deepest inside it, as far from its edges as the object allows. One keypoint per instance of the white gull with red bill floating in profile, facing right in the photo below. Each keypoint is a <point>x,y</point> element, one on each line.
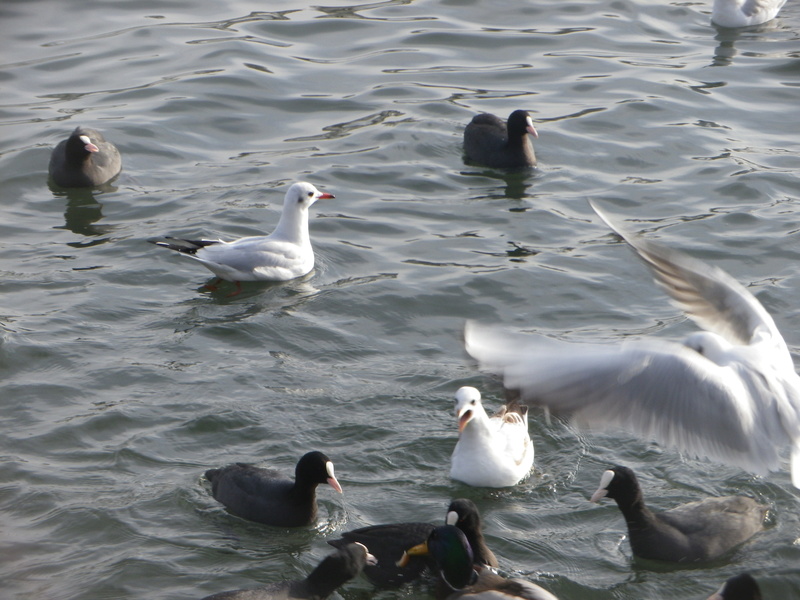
<point>284,254</point>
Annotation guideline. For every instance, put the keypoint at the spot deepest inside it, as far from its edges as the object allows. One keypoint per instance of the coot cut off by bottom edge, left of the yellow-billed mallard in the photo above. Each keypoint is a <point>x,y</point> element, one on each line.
<point>334,570</point>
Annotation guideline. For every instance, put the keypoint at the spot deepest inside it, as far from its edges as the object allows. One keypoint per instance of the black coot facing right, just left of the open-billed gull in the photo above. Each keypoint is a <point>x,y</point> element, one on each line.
<point>267,496</point>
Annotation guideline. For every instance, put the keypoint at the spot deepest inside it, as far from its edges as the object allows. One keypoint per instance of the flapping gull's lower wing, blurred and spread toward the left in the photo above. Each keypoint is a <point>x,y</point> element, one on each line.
<point>658,390</point>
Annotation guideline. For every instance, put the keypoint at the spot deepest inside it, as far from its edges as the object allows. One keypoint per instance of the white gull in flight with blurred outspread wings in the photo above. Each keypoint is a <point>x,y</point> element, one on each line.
<point>729,393</point>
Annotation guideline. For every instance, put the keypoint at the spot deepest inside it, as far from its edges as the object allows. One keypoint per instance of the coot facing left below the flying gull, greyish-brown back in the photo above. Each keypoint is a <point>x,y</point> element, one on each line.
<point>694,532</point>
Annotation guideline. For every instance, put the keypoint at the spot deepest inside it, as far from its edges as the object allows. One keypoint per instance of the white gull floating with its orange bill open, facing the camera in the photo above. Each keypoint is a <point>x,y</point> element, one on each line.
<point>491,451</point>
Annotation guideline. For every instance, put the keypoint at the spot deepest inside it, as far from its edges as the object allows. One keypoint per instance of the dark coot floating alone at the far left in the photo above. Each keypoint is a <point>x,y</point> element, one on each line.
<point>84,159</point>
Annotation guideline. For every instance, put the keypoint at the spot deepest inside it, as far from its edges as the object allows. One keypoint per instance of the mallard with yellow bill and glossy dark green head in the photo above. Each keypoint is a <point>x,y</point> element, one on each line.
<point>454,560</point>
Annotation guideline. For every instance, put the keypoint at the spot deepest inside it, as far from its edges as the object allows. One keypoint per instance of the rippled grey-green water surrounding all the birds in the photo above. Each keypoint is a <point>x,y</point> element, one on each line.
<point>124,380</point>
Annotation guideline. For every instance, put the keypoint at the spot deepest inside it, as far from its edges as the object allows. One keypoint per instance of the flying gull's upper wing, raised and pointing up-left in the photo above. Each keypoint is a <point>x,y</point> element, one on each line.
<point>711,297</point>
